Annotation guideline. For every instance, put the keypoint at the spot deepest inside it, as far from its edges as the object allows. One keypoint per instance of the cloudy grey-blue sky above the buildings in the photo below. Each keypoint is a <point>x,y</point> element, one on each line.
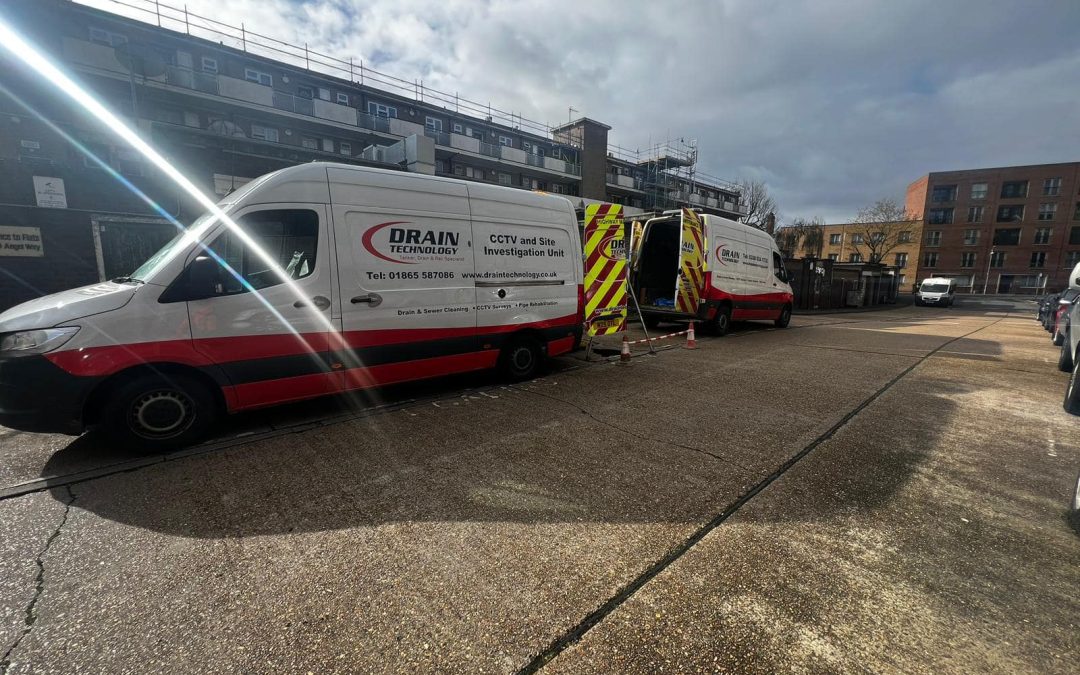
<point>835,104</point>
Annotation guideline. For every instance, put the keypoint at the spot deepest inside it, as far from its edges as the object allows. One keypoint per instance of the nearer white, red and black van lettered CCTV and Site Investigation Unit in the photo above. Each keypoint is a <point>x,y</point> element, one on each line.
<point>339,278</point>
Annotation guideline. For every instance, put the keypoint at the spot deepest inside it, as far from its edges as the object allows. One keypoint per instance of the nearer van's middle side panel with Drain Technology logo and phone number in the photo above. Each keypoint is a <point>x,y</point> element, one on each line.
<point>406,268</point>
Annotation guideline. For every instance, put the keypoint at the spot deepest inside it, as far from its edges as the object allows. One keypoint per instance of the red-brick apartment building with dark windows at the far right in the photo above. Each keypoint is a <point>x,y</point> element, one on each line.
<point>1014,229</point>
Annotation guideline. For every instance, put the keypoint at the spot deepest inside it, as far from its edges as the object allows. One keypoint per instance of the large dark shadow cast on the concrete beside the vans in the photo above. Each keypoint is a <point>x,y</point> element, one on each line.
<point>502,455</point>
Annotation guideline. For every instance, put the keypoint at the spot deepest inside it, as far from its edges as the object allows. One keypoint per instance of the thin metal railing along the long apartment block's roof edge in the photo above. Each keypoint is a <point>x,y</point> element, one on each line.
<point>182,20</point>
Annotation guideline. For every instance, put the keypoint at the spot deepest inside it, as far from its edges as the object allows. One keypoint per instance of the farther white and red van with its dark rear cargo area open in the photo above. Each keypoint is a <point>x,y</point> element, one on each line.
<point>746,277</point>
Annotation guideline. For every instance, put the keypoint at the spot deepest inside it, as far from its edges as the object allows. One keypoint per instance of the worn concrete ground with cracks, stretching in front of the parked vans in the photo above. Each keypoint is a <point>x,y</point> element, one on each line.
<point>882,492</point>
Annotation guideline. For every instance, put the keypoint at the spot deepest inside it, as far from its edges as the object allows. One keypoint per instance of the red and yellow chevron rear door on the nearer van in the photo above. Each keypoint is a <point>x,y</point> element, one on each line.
<point>605,269</point>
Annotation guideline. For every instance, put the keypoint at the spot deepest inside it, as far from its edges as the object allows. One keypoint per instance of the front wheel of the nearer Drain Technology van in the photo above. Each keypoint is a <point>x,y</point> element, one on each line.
<point>156,413</point>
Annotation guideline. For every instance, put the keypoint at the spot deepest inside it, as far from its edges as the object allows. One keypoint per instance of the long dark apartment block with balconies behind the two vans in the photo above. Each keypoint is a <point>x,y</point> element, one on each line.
<point>225,105</point>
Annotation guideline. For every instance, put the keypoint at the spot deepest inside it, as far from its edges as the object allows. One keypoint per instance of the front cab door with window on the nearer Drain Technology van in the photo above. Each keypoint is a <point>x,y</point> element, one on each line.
<point>268,334</point>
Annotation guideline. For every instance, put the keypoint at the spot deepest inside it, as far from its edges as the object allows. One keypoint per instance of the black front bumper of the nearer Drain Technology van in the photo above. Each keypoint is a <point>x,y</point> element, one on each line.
<point>39,397</point>
